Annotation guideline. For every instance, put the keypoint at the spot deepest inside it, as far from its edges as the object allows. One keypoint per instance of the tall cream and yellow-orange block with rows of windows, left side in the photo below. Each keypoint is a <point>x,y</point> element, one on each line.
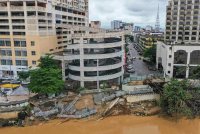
<point>32,28</point>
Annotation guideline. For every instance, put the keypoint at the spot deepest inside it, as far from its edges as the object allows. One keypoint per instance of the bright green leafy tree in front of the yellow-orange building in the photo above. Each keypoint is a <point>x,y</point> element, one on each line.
<point>47,79</point>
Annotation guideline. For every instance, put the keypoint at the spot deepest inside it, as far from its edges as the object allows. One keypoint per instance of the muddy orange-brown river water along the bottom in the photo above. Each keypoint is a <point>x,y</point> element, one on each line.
<point>112,125</point>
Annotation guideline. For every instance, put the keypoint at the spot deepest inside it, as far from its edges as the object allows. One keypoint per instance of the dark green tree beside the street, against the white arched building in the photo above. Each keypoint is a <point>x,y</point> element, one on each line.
<point>151,53</point>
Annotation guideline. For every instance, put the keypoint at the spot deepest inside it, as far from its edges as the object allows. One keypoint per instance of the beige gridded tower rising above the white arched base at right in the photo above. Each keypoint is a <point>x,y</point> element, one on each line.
<point>182,22</point>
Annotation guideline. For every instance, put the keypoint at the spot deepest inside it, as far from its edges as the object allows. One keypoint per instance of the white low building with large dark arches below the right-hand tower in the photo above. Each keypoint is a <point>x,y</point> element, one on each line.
<point>178,60</point>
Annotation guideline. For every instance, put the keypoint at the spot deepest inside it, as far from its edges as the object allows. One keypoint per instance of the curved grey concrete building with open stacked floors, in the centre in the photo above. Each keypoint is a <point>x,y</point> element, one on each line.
<point>93,59</point>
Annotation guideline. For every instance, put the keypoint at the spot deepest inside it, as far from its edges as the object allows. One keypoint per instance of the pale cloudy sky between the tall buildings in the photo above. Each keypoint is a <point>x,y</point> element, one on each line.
<point>140,12</point>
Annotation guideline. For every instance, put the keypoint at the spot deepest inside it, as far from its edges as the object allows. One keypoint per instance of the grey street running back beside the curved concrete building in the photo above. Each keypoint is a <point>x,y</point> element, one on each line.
<point>140,67</point>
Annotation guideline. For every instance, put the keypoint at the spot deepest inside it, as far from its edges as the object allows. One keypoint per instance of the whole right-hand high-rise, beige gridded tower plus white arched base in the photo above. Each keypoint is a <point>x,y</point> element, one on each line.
<point>179,54</point>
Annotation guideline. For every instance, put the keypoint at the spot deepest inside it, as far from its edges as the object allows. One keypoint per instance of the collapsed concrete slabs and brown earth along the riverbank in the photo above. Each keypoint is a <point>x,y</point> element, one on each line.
<point>98,105</point>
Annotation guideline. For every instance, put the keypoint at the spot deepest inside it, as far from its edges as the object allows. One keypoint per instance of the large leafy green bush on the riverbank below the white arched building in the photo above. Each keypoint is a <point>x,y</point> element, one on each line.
<point>174,98</point>
